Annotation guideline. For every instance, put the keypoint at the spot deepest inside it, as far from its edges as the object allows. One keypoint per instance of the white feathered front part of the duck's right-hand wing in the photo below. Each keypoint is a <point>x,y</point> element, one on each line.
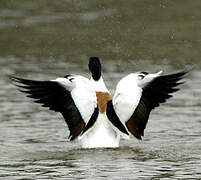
<point>128,93</point>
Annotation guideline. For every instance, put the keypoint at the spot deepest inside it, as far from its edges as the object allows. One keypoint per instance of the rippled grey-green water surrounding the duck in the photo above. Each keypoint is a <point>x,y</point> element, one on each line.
<point>43,40</point>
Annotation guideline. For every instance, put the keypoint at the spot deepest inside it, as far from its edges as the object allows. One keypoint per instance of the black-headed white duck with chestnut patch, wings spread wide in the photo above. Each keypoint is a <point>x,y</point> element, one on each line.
<point>94,117</point>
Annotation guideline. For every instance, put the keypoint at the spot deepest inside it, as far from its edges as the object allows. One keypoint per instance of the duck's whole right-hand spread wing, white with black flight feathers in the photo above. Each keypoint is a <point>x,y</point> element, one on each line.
<point>133,101</point>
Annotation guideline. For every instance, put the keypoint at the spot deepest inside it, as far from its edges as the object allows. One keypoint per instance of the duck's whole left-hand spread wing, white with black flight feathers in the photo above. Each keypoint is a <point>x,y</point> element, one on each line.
<point>70,96</point>
